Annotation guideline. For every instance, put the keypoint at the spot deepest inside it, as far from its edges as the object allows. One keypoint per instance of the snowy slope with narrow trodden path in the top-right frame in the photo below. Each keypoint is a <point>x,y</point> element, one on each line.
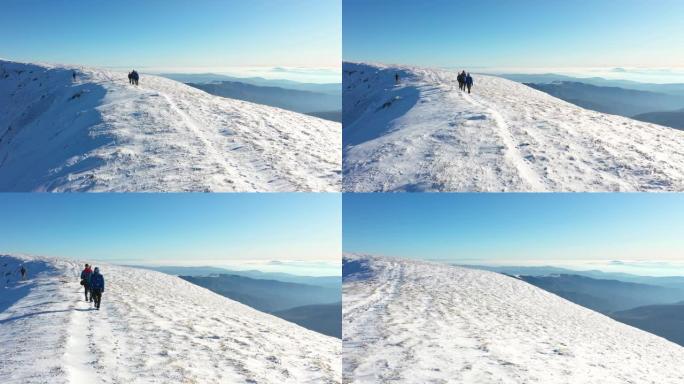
<point>425,135</point>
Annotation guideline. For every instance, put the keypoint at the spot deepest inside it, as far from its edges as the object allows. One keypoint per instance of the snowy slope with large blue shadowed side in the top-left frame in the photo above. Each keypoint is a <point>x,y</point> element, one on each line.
<point>101,134</point>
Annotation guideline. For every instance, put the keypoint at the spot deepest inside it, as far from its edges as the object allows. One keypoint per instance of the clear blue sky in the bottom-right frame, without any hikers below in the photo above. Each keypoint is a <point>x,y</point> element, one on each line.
<point>516,228</point>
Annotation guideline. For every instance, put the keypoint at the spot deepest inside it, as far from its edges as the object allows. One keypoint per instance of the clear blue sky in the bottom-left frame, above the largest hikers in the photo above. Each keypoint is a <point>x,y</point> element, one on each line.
<point>174,228</point>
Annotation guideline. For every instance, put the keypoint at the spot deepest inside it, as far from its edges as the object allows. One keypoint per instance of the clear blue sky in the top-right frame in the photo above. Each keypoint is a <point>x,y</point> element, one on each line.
<point>521,33</point>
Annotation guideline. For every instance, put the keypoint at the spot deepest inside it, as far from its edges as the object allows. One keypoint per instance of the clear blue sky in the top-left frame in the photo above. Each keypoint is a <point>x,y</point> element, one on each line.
<point>173,33</point>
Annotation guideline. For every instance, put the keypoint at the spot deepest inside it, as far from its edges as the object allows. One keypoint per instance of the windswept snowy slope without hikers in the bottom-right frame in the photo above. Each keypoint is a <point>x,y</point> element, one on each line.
<point>420,322</point>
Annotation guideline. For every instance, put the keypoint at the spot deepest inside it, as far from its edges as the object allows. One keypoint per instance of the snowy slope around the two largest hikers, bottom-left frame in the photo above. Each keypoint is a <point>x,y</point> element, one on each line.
<point>151,328</point>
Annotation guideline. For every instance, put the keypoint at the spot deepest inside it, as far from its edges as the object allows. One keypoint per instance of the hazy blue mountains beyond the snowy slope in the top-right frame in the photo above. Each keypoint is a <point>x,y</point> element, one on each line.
<point>661,104</point>
